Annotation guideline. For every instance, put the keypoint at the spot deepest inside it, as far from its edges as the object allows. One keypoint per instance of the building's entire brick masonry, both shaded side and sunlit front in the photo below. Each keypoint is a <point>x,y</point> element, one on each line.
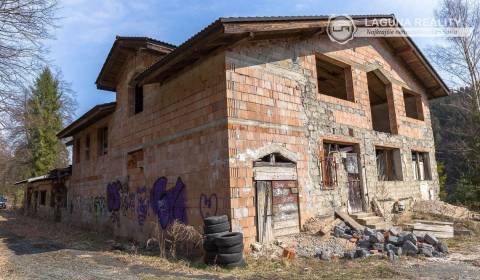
<point>202,130</point>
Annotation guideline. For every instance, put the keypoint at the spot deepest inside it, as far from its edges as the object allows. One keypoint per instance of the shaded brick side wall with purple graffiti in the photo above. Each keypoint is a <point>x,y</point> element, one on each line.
<point>181,133</point>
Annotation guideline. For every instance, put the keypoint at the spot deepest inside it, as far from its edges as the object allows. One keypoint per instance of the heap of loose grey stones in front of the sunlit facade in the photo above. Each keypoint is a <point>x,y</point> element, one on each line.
<point>390,242</point>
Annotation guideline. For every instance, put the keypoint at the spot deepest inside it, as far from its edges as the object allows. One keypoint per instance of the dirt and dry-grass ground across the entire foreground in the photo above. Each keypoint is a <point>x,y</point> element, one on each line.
<point>33,249</point>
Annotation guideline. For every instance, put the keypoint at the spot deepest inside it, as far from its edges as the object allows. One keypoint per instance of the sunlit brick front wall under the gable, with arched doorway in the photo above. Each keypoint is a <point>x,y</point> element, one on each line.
<point>273,100</point>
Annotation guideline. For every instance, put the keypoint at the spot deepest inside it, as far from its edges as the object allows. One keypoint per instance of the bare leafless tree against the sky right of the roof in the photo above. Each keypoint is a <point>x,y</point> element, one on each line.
<point>459,57</point>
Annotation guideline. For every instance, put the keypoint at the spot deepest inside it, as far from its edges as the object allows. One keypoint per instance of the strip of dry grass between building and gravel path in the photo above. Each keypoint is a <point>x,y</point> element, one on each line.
<point>262,268</point>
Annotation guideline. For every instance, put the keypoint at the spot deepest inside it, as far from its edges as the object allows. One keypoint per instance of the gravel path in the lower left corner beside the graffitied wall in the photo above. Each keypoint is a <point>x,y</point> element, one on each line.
<point>27,257</point>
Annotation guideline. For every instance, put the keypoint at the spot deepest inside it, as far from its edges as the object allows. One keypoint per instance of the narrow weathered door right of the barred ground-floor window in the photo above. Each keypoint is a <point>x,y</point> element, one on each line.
<point>354,184</point>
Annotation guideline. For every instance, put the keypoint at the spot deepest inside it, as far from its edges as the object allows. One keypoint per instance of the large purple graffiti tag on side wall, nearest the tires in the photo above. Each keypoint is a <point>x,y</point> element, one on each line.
<point>168,205</point>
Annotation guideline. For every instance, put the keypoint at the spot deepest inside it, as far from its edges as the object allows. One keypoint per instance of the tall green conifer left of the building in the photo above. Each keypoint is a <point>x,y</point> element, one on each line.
<point>44,121</point>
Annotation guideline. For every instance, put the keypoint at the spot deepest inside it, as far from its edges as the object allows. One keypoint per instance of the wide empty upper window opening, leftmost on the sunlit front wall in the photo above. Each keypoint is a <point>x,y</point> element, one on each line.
<point>334,80</point>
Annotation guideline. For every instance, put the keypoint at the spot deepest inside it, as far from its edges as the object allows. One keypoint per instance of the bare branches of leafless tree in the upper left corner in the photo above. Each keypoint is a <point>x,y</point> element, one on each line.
<point>24,25</point>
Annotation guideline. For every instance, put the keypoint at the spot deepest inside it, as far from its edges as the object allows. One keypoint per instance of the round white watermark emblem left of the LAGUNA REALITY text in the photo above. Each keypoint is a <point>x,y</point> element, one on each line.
<point>341,29</point>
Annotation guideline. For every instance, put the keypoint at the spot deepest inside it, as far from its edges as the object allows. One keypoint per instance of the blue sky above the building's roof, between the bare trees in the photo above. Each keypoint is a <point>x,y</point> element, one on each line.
<point>87,28</point>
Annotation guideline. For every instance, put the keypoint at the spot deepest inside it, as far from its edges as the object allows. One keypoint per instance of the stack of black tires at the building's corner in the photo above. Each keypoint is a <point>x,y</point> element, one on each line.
<point>221,246</point>
